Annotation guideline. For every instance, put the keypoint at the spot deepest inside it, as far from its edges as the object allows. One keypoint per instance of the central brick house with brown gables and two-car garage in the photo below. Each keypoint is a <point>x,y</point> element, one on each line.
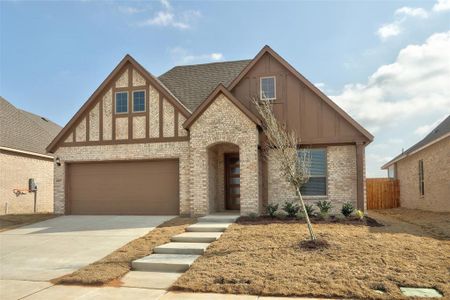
<point>189,141</point>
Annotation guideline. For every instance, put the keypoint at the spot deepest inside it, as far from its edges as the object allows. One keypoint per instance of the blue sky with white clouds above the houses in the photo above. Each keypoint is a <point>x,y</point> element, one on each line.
<point>387,63</point>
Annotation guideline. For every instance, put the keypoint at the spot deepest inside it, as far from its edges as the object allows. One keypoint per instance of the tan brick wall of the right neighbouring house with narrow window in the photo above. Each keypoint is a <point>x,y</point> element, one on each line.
<point>436,162</point>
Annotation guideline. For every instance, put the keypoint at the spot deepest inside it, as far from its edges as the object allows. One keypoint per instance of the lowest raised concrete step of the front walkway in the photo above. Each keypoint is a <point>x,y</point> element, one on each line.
<point>164,262</point>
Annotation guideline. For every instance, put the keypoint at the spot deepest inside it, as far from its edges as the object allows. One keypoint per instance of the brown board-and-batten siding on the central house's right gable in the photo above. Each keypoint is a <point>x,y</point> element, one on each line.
<point>304,112</point>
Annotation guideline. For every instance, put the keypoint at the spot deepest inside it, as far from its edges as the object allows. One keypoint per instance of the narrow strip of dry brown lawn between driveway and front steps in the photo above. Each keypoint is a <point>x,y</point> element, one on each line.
<point>118,263</point>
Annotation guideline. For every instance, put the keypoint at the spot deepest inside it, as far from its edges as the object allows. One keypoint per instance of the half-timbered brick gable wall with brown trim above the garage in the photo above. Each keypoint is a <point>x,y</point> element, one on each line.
<point>100,125</point>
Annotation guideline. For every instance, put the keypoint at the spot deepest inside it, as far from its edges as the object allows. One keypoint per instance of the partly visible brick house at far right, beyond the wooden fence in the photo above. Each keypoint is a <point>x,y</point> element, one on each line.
<point>423,171</point>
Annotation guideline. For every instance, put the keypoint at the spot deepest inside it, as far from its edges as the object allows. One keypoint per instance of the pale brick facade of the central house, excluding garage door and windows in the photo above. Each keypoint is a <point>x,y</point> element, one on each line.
<point>221,128</point>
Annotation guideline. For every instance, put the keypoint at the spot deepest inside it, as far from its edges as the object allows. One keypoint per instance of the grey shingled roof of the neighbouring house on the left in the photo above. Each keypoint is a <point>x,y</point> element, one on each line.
<point>22,130</point>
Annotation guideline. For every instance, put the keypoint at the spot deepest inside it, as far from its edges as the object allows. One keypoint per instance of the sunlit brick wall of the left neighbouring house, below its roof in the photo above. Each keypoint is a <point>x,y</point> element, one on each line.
<point>15,170</point>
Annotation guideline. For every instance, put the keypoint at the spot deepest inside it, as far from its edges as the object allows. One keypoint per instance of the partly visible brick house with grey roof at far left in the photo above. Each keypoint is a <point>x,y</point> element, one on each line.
<point>23,138</point>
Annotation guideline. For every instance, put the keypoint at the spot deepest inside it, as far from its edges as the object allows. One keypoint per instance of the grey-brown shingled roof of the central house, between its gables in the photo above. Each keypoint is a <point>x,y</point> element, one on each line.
<point>193,83</point>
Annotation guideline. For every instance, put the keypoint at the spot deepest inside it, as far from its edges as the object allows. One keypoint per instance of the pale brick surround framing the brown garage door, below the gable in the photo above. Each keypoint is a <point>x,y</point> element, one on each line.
<point>170,150</point>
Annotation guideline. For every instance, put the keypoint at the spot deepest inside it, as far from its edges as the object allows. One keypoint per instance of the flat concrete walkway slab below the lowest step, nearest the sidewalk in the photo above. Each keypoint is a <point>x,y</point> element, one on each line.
<point>149,280</point>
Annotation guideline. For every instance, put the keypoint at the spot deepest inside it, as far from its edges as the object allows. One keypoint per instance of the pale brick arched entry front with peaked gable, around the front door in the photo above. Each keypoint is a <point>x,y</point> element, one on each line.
<point>223,122</point>
